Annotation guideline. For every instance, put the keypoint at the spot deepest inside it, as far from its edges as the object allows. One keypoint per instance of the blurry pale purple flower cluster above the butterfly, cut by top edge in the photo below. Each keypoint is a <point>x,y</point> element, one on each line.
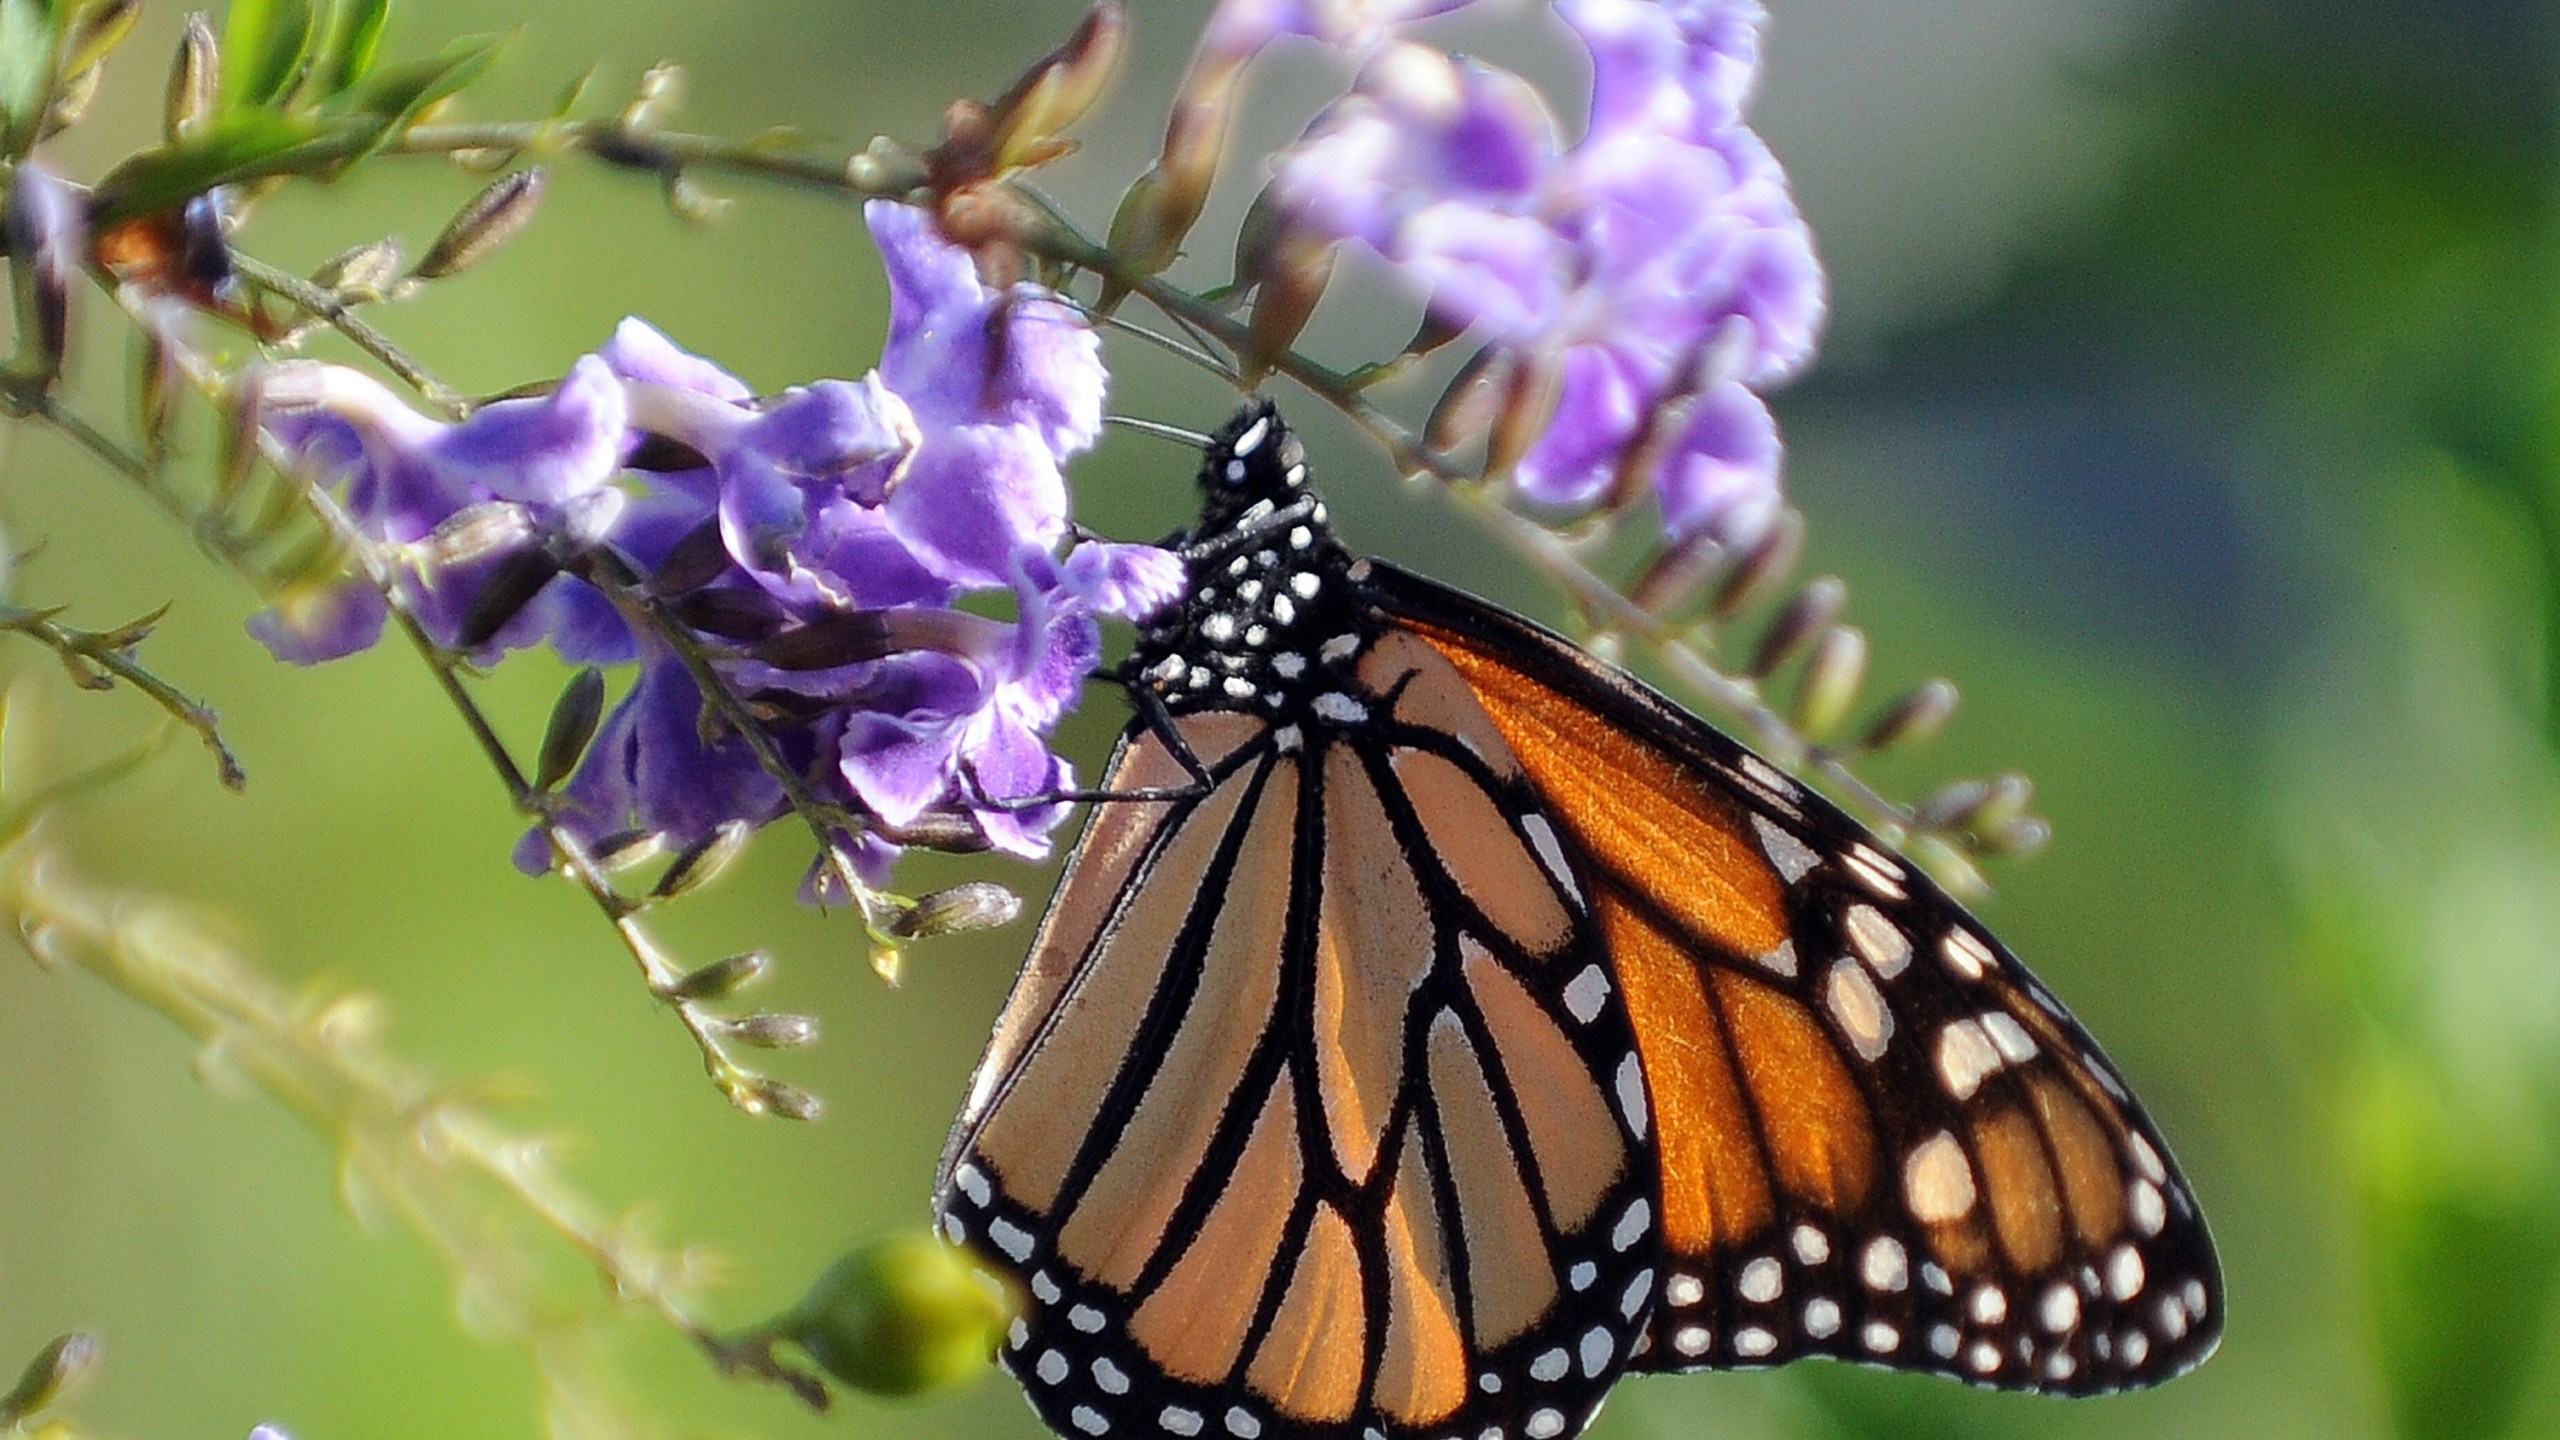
<point>1658,265</point>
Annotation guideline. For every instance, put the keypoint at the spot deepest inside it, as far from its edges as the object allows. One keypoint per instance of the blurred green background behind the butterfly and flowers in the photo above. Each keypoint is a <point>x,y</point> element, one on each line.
<point>2193,398</point>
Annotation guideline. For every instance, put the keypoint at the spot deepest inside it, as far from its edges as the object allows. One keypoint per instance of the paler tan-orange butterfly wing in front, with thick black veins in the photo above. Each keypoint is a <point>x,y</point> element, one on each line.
<point>1299,1121</point>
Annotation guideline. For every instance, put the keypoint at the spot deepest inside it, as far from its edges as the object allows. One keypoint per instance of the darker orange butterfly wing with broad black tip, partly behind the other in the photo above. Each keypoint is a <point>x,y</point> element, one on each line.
<point>1880,1136</point>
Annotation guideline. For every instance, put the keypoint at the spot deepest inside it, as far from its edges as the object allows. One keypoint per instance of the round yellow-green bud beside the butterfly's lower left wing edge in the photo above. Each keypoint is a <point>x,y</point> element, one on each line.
<point>900,1316</point>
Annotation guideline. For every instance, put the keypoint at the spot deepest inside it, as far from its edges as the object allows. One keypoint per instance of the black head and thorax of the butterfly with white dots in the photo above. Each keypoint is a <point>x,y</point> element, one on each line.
<point>1268,619</point>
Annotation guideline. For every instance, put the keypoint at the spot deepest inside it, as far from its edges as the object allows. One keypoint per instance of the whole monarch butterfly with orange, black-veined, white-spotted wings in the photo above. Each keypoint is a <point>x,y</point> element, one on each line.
<point>1453,1026</point>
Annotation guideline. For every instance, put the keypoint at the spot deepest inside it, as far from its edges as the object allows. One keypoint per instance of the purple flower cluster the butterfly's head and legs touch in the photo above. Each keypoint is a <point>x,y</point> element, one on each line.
<point>818,544</point>
